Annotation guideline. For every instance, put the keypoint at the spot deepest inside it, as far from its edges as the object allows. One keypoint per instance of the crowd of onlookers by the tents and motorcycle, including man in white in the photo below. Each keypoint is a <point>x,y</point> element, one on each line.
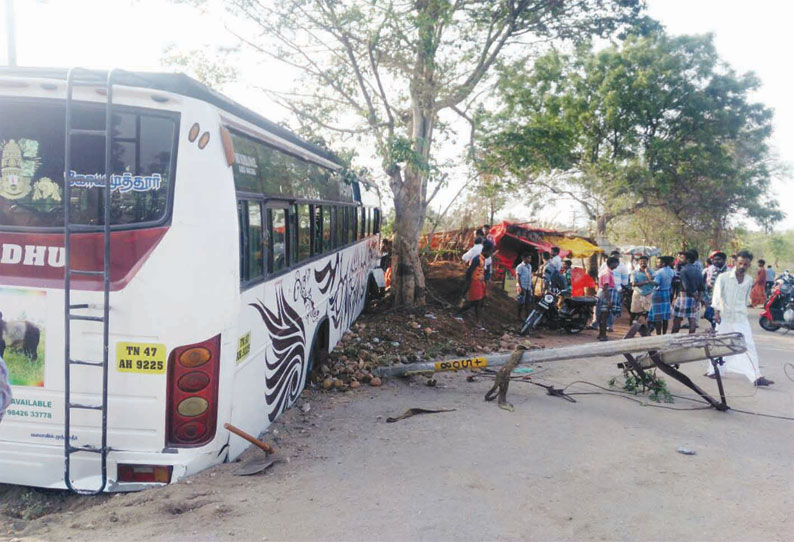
<point>677,294</point>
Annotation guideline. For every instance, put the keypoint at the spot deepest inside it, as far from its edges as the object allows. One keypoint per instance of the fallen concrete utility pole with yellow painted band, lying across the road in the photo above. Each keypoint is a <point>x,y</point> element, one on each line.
<point>704,344</point>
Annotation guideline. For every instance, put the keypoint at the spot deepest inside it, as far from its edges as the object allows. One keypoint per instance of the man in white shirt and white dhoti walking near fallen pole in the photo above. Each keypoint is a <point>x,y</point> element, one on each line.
<point>731,294</point>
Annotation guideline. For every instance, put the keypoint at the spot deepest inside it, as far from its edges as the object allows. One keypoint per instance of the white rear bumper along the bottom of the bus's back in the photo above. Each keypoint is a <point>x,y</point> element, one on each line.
<point>40,465</point>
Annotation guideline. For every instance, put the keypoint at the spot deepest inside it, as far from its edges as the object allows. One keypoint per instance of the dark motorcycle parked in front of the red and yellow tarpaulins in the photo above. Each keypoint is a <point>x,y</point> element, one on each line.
<point>573,316</point>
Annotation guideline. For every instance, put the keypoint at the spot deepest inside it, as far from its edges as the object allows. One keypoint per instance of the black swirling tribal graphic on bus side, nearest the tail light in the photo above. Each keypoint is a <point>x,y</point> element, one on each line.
<point>286,365</point>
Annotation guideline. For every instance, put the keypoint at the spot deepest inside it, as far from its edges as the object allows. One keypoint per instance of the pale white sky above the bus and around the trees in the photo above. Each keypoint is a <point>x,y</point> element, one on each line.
<point>132,34</point>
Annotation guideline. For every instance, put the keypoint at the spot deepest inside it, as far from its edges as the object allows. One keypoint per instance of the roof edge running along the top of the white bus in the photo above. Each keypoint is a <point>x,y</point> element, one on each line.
<point>176,83</point>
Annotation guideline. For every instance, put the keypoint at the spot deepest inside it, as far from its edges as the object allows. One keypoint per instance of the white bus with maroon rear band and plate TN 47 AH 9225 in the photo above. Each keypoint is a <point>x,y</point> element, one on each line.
<point>139,315</point>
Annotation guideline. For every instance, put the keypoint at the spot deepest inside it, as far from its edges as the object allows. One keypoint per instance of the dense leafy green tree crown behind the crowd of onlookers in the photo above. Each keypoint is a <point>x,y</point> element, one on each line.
<point>654,122</point>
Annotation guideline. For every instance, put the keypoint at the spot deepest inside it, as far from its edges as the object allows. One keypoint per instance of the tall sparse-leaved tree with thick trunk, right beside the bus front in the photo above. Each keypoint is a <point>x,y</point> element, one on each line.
<point>385,70</point>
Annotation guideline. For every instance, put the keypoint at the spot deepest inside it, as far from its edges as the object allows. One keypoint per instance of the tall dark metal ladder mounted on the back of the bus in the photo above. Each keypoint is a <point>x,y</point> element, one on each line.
<point>78,77</point>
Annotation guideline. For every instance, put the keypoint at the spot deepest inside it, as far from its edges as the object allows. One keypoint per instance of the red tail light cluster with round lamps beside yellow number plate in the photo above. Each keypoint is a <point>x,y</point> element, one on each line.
<point>192,414</point>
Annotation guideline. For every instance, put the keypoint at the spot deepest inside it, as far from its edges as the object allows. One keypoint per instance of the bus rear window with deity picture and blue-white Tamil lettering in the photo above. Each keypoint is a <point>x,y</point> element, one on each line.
<point>32,165</point>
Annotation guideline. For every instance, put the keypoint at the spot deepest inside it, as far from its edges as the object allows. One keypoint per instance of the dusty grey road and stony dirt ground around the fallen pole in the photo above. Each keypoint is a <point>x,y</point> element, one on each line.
<point>604,467</point>
